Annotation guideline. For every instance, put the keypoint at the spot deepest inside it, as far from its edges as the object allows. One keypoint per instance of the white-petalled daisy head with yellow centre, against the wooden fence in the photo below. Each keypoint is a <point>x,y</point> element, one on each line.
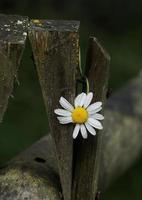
<point>84,115</point>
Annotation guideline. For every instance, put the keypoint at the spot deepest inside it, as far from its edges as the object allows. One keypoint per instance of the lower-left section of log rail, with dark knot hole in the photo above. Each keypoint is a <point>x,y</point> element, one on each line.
<point>32,175</point>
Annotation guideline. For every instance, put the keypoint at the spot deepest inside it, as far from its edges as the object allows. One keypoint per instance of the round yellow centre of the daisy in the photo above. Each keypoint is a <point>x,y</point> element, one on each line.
<point>79,115</point>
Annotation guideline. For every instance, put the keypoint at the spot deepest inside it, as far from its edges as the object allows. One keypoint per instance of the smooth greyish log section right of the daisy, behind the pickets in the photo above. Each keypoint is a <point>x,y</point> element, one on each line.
<point>122,141</point>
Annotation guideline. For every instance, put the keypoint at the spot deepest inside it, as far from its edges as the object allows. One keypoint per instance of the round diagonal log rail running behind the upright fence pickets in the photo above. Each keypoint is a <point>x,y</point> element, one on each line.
<point>34,173</point>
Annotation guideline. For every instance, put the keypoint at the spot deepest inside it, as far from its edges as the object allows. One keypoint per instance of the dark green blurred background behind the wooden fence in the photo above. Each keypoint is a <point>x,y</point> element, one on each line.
<point>117,24</point>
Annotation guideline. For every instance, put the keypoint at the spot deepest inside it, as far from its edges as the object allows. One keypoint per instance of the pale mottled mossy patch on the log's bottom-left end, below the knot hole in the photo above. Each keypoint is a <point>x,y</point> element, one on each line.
<point>20,185</point>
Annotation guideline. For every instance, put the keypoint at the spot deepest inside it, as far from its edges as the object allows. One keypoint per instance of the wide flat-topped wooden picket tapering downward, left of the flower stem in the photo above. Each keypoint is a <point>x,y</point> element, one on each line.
<point>56,52</point>
